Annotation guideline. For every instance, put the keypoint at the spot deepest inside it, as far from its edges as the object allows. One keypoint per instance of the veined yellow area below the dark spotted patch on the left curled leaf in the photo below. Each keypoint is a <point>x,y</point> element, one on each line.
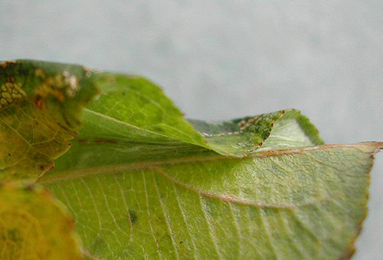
<point>29,141</point>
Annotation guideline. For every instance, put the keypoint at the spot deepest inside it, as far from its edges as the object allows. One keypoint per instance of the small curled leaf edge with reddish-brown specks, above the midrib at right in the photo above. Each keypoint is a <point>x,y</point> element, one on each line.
<point>279,130</point>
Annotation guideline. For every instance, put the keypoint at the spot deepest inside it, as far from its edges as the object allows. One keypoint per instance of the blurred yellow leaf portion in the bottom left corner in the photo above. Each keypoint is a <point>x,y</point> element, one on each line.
<point>34,225</point>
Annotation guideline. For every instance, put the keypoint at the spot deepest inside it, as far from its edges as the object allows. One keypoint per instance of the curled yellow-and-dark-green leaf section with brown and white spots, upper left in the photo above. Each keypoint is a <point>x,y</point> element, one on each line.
<point>40,105</point>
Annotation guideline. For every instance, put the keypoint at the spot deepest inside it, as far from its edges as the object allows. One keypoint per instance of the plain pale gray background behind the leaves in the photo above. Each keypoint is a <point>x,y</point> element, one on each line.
<point>222,59</point>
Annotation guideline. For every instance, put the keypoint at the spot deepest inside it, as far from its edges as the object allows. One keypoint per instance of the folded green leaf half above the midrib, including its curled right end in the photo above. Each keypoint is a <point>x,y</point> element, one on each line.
<point>133,121</point>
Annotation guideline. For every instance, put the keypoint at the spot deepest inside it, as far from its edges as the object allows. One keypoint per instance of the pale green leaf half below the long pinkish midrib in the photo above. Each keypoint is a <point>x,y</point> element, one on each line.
<point>294,204</point>
